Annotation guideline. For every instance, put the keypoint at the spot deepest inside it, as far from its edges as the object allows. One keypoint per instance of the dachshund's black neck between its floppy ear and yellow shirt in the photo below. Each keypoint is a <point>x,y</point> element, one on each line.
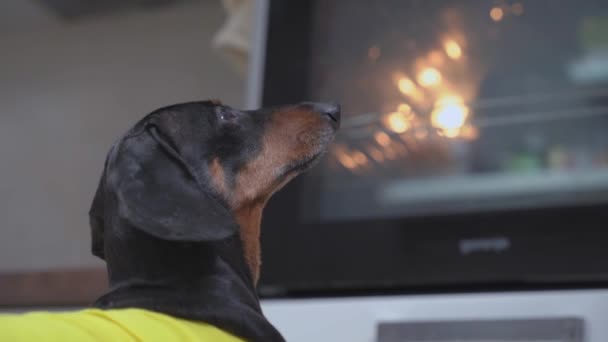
<point>209,282</point>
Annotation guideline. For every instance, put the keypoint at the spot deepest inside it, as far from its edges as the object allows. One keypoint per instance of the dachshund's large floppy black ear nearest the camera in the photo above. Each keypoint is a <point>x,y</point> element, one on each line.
<point>158,192</point>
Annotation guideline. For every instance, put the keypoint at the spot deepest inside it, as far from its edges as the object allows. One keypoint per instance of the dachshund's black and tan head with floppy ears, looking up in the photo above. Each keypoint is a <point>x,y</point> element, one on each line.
<point>203,171</point>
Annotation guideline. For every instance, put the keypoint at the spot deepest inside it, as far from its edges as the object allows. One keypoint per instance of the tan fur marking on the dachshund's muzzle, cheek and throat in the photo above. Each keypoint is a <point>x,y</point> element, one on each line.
<point>282,145</point>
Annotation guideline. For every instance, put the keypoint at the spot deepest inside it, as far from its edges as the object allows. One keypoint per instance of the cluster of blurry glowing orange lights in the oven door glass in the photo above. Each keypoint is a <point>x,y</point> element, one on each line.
<point>434,103</point>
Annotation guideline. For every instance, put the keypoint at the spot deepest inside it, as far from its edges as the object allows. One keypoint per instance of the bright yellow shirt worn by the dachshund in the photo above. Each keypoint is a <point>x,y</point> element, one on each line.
<point>106,325</point>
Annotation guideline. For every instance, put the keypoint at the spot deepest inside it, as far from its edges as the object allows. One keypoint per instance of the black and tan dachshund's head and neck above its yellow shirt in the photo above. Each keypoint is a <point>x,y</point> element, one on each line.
<point>177,212</point>
